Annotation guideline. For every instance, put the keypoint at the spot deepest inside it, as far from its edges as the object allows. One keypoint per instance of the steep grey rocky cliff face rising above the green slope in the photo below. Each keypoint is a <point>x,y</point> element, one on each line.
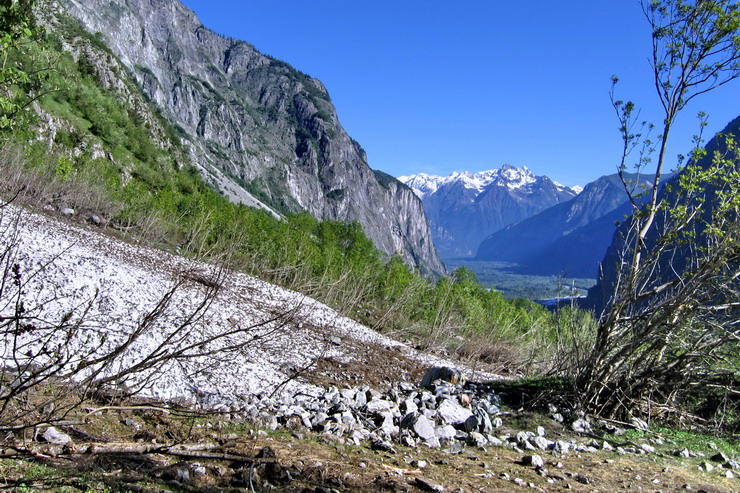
<point>261,131</point>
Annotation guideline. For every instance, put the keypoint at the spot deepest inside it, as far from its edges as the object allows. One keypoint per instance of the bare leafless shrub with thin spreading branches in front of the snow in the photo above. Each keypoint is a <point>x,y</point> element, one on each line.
<point>82,354</point>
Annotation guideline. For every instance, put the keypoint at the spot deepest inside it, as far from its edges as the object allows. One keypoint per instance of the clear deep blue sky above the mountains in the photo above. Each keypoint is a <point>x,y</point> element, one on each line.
<point>438,86</point>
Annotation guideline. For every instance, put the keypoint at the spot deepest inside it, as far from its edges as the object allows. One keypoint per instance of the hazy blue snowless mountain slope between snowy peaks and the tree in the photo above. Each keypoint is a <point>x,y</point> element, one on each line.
<point>568,238</point>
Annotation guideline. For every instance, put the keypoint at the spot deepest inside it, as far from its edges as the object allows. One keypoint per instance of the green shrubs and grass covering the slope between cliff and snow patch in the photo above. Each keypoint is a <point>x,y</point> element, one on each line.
<point>100,149</point>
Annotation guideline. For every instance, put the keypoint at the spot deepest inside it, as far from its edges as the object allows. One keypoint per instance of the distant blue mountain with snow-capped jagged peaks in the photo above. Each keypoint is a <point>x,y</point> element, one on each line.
<point>464,208</point>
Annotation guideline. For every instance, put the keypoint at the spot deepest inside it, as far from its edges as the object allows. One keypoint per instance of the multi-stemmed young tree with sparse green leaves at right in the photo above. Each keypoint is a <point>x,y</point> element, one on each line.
<point>673,314</point>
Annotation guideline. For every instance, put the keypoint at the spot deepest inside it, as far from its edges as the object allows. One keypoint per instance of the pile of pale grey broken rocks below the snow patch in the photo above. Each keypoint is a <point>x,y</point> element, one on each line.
<point>446,412</point>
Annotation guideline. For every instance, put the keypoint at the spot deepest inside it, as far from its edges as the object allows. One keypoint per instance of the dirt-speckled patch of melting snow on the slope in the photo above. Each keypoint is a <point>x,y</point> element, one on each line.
<point>247,340</point>
